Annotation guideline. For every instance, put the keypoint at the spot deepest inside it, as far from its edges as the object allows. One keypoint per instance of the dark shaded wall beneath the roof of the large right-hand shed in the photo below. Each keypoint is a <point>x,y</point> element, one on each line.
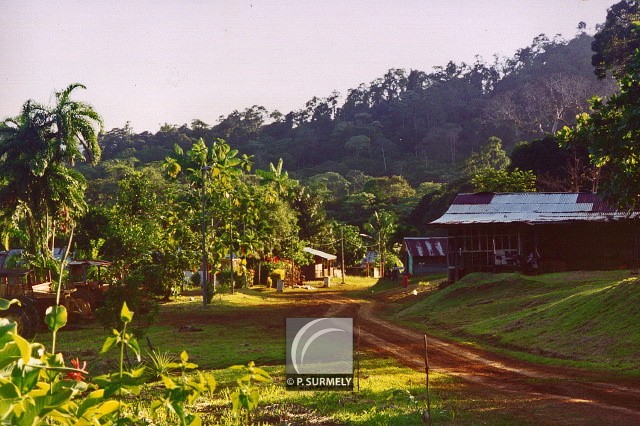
<point>557,247</point>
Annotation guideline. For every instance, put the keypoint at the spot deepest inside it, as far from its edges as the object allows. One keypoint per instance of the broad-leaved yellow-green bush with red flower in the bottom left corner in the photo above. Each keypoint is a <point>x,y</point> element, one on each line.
<point>37,386</point>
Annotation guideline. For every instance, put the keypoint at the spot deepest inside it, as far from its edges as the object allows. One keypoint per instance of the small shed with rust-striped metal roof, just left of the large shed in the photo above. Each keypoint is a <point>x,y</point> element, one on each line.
<point>425,254</point>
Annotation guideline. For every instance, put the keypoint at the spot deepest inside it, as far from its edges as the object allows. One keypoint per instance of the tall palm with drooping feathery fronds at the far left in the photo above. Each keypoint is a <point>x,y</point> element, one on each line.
<point>37,186</point>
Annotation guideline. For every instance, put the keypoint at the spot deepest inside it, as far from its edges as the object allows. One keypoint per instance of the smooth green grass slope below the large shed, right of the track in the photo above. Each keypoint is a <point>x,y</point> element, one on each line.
<point>582,318</point>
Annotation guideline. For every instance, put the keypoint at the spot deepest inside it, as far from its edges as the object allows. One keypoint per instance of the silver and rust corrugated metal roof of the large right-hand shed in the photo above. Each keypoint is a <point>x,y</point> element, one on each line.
<point>529,207</point>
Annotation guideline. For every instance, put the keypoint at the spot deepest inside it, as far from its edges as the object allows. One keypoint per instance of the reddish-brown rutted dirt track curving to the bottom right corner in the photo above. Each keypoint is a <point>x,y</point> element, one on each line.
<point>576,396</point>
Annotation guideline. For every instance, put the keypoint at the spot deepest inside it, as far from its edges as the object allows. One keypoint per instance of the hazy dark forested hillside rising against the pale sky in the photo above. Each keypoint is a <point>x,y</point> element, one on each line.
<point>408,123</point>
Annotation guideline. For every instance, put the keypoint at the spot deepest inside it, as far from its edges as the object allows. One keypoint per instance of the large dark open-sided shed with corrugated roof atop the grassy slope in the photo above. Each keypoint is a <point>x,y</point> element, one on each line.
<point>538,232</point>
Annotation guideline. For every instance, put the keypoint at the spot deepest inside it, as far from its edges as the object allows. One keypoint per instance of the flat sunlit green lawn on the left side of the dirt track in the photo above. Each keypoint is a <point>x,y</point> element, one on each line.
<point>249,326</point>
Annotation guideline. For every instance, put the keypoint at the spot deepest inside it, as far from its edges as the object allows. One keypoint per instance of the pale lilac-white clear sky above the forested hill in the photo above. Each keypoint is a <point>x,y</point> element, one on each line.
<point>156,62</point>
